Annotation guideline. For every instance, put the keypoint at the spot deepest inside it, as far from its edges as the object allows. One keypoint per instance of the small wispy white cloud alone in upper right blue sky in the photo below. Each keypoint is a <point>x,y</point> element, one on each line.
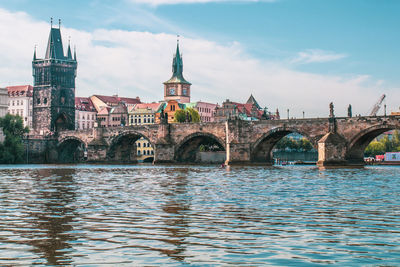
<point>317,56</point>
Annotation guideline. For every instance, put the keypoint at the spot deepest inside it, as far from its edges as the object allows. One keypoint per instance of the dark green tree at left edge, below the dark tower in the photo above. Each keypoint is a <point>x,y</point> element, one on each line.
<point>12,149</point>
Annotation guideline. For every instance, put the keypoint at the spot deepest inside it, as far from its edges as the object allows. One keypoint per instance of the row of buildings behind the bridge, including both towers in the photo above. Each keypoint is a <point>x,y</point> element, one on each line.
<point>50,105</point>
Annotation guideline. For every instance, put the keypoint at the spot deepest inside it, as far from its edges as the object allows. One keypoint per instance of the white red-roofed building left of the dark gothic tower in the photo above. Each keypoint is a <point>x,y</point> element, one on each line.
<point>20,102</point>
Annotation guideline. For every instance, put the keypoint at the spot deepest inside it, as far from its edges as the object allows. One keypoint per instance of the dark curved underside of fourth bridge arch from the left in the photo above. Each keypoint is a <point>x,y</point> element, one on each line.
<point>261,149</point>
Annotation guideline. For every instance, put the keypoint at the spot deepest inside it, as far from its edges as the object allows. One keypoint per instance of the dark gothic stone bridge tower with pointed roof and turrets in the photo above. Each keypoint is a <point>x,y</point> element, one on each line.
<point>54,87</point>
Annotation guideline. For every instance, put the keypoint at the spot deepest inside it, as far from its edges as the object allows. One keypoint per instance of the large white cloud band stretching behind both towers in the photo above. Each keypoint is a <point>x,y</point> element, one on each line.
<point>137,63</point>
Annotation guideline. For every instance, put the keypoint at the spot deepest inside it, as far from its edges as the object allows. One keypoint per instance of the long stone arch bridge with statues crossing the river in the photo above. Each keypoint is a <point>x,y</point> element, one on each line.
<point>340,141</point>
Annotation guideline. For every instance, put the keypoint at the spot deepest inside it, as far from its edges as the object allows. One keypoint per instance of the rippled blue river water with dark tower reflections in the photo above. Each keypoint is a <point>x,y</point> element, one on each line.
<point>90,215</point>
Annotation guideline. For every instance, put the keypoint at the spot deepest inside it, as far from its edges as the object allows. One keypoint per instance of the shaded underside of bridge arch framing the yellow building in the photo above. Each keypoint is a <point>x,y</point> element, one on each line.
<point>123,148</point>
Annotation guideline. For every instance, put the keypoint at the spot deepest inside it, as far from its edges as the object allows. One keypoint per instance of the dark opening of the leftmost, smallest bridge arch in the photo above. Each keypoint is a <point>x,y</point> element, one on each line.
<point>71,149</point>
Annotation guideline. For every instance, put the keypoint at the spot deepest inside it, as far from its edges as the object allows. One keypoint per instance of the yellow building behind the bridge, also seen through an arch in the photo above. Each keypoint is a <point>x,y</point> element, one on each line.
<point>143,114</point>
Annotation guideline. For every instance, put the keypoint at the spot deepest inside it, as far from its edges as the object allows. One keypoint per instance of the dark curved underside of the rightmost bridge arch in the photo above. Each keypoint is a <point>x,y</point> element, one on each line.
<point>358,143</point>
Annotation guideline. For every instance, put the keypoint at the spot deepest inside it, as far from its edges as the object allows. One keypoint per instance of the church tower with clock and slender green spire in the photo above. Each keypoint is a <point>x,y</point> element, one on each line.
<point>177,88</point>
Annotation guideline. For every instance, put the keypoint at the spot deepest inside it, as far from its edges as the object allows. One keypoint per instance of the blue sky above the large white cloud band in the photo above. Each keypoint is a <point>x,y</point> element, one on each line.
<point>344,39</point>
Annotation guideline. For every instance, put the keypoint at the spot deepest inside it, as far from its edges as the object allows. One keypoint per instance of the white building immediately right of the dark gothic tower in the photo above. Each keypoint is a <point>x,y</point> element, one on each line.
<point>85,113</point>
